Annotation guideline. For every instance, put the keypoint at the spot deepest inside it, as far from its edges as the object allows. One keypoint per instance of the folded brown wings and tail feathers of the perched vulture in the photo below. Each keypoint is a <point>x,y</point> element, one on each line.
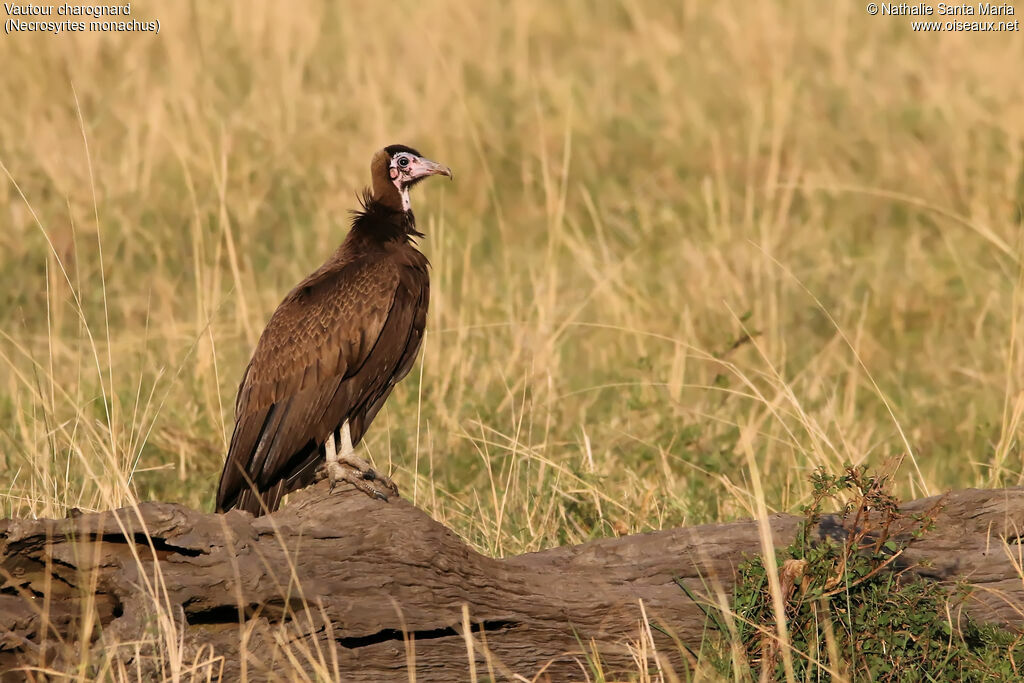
<point>338,337</point>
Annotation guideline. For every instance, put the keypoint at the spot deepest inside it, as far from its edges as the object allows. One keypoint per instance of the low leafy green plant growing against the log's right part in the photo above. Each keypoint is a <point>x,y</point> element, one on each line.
<point>855,608</point>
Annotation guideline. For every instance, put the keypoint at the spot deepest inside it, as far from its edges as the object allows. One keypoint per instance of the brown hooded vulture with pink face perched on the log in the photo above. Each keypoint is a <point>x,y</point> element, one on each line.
<point>333,352</point>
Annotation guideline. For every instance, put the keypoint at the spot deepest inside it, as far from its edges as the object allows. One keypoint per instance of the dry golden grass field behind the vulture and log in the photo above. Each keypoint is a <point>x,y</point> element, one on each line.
<point>639,186</point>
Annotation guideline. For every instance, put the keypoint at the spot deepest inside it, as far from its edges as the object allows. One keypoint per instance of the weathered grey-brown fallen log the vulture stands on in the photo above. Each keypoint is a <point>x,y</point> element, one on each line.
<point>359,589</point>
